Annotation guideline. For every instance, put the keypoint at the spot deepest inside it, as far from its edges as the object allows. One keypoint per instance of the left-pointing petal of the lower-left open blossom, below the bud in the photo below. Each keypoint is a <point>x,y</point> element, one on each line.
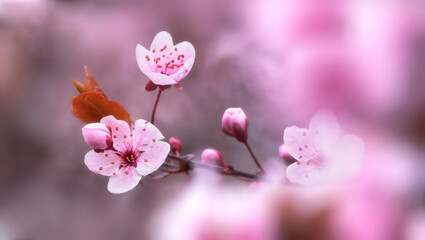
<point>105,163</point>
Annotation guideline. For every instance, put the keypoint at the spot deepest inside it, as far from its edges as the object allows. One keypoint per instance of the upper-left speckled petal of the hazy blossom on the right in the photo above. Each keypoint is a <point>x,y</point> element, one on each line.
<point>300,143</point>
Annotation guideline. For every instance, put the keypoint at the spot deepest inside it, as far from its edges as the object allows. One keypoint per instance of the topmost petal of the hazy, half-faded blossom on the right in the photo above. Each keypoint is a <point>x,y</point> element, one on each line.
<point>324,124</point>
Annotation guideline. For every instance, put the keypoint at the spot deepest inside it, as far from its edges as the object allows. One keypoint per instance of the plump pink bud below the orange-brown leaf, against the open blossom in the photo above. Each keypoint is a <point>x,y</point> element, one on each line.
<point>97,136</point>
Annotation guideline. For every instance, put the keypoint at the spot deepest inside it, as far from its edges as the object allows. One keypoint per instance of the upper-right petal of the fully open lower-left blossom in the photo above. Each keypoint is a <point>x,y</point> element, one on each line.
<point>145,134</point>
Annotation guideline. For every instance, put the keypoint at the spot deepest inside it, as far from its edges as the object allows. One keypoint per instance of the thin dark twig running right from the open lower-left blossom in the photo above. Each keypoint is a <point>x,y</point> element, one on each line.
<point>191,164</point>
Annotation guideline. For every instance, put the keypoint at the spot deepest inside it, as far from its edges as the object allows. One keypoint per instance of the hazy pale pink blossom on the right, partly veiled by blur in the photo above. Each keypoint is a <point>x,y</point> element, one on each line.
<point>322,155</point>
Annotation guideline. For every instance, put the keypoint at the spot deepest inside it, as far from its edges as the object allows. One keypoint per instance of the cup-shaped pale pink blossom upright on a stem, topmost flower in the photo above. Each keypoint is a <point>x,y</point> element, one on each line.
<point>164,63</point>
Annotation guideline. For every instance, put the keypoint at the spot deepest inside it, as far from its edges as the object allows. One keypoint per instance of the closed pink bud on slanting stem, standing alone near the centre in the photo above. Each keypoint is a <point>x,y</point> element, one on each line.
<point>235,124</point>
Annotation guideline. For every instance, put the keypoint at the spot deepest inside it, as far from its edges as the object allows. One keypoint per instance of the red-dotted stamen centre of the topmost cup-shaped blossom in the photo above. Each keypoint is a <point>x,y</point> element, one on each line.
<point>166,61</point>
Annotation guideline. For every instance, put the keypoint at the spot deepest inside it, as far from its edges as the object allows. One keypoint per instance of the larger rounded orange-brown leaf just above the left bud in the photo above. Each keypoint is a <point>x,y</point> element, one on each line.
<point>91,107</point>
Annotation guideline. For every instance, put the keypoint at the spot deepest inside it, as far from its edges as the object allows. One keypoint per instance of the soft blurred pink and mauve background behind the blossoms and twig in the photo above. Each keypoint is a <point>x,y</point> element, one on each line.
<point>278,60</point>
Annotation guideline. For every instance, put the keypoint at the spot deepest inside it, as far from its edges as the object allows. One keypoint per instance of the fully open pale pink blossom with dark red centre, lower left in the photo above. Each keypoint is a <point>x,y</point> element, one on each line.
<point>135,153</point>
